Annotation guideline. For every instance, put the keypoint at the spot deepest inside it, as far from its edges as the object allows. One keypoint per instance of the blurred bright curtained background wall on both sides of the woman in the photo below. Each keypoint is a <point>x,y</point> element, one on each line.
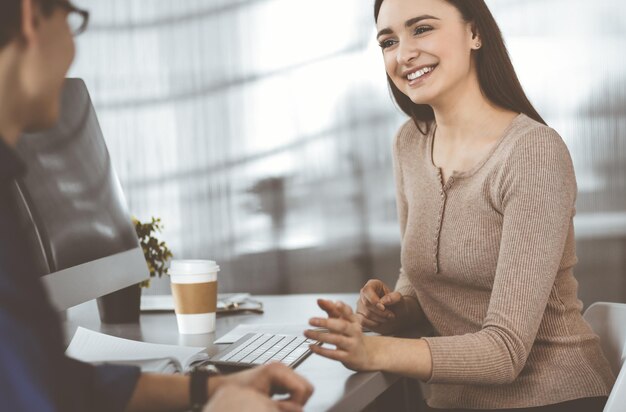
<point>260,130</point>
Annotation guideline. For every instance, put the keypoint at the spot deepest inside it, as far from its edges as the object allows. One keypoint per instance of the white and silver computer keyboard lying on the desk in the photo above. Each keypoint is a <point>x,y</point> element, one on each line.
<point>260,348</point>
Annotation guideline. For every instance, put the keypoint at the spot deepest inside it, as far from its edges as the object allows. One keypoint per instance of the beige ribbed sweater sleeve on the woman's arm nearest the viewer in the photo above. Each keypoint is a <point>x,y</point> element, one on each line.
<point>537,191</point>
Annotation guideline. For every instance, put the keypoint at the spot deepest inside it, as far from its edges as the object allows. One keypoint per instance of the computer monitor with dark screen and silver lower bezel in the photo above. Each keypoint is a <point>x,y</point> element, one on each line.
<point>73,209</point>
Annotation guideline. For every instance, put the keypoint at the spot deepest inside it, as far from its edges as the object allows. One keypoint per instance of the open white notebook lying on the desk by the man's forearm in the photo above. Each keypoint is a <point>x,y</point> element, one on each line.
<point>95,347</point>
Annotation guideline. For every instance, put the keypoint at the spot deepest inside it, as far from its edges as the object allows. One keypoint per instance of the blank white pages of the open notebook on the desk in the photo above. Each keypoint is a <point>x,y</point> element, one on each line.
<point>95,347</point>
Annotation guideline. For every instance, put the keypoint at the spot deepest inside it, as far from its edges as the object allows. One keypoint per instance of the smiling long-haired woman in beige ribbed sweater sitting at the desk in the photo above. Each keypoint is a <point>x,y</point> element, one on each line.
<point>486,197</point>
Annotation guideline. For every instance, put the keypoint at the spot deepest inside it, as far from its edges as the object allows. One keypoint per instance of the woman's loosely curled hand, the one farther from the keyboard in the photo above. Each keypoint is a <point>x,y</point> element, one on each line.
<point>380,309</point>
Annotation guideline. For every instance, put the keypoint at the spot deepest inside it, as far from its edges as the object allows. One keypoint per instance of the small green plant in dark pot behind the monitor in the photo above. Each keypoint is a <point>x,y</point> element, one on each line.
<point>123,306</point>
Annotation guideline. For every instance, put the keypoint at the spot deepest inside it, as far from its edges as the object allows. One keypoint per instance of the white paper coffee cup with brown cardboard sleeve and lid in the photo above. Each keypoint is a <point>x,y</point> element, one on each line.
<point>194,288</point>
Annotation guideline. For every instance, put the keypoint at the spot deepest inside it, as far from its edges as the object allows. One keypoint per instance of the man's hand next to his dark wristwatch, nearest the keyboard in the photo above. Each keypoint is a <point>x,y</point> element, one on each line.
<point>267,380</point>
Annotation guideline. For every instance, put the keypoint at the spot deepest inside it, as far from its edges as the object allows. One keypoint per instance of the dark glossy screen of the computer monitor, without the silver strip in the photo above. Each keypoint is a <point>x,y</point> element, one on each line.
<point>71,188</point>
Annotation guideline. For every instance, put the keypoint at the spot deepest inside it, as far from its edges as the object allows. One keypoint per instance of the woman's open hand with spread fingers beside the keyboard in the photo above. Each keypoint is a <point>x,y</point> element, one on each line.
<point>355,350</point>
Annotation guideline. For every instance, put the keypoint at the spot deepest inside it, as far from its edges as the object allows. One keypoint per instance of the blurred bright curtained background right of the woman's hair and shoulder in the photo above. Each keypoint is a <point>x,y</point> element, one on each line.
<point>569,56</point>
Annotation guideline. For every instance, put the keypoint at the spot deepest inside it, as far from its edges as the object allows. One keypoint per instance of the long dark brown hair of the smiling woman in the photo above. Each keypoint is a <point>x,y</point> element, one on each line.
<point>496,74</point>
